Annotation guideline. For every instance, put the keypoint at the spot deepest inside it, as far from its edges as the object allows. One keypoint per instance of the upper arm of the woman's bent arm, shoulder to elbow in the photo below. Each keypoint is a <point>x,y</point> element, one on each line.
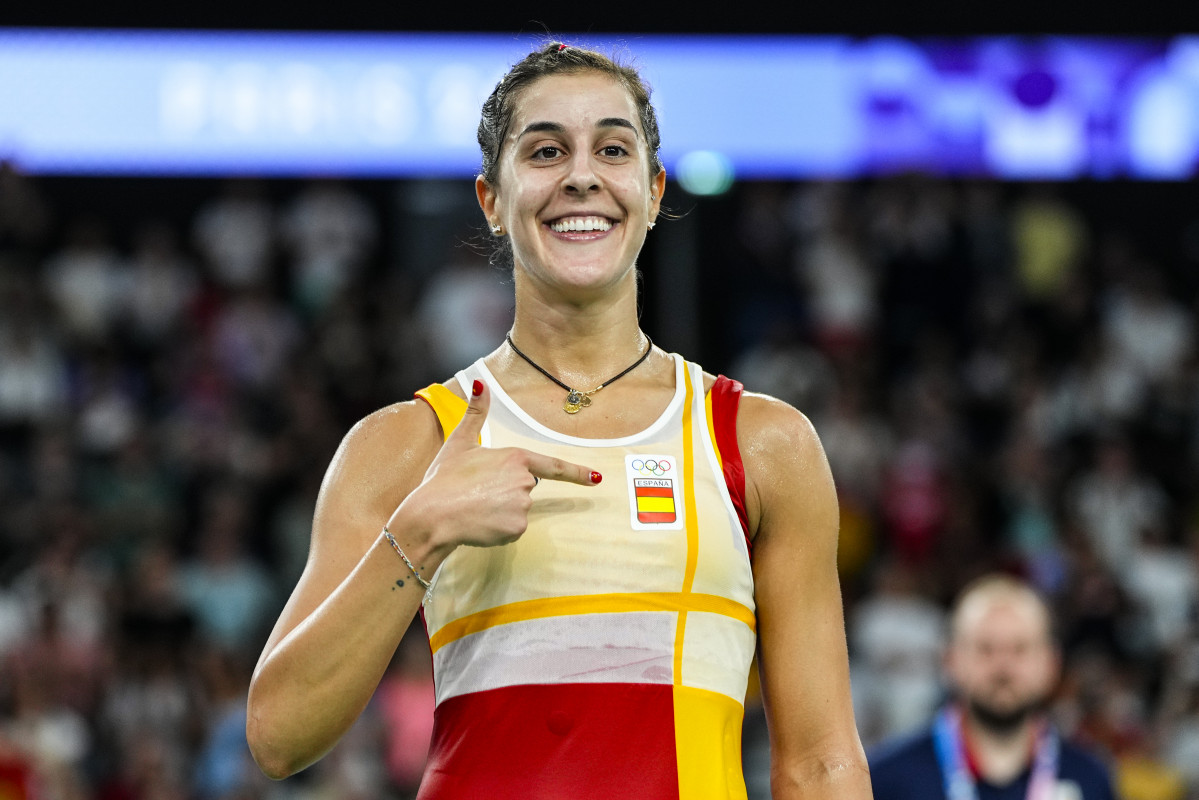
<point>379,462</point>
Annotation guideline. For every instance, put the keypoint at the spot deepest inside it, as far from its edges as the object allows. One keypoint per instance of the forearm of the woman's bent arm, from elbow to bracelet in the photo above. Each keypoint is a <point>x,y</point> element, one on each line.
<point>311,687</point>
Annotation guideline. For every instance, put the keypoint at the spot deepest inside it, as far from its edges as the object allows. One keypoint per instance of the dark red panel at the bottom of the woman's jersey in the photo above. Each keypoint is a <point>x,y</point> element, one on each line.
<point>553,742</point>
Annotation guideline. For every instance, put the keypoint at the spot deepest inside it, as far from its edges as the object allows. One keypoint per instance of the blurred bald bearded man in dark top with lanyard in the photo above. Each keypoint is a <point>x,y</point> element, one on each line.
<point>995,741</point>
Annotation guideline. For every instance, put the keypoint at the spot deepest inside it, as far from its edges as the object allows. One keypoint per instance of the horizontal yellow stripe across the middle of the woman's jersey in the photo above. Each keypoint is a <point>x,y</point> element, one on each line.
<point>541,609</point>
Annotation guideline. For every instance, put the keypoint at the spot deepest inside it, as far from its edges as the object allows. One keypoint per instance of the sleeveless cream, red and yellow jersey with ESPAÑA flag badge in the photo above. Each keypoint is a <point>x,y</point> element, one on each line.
<point>606,653</point>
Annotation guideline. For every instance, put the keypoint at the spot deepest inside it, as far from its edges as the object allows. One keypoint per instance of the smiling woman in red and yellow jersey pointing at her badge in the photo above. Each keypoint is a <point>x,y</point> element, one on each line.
<point>593,621</point>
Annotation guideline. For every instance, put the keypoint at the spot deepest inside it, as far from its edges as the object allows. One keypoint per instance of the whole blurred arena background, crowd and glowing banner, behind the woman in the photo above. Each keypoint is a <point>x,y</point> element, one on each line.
<point>972,260</point>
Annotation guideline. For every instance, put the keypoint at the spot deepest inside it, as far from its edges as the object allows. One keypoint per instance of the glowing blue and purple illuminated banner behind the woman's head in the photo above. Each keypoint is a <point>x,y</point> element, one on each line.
<point>407,105</point>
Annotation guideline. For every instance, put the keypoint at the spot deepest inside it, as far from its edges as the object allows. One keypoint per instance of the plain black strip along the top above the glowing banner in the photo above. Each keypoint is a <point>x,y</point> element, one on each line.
<point>854,17</point>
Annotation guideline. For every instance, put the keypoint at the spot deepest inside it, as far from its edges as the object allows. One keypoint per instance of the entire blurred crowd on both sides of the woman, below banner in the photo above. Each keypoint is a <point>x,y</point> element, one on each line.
<point>1001,377</point>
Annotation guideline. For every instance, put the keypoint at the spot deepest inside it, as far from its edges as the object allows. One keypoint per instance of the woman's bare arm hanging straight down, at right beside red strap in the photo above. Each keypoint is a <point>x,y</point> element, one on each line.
<point>803,653</point>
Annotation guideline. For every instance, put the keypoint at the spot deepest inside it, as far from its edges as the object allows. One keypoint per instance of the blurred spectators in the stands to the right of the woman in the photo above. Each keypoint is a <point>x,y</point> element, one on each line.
<point>1004,377</point>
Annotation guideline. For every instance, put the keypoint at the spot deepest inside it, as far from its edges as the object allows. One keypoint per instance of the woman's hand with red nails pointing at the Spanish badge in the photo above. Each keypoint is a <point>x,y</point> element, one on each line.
<point>479,496</point>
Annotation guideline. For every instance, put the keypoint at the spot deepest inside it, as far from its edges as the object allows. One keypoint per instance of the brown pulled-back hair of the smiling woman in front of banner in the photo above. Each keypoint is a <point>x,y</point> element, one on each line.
<point>551,61</point>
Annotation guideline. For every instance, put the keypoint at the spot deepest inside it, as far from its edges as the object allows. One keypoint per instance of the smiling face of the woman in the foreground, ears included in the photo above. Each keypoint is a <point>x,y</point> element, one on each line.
<point>575,191</point>
